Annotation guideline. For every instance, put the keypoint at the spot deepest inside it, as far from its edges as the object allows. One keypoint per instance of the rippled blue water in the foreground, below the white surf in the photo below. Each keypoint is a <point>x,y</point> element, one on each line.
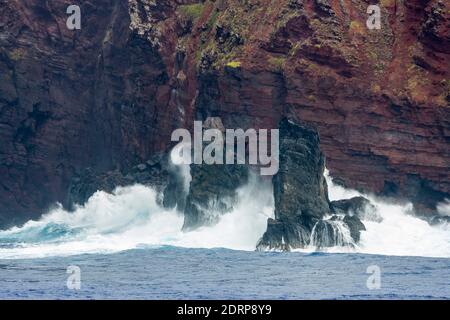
<point>177,273</point>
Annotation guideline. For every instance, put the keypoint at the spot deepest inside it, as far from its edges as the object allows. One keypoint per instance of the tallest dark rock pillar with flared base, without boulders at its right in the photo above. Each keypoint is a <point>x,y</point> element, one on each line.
<point>300,190</point>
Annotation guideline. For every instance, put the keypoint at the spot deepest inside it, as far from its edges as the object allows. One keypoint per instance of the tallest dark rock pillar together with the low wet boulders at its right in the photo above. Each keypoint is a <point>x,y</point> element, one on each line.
<point>301,198</point>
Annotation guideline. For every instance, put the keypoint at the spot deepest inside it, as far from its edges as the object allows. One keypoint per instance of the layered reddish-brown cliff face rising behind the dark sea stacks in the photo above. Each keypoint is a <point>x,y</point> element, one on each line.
<point>109,95</point>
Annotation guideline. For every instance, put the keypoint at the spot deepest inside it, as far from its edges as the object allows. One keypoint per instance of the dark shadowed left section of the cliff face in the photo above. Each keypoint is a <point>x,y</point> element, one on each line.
<point>98,97</point>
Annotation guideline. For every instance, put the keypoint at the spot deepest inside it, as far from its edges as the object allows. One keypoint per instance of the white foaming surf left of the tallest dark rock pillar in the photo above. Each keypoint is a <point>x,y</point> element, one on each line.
<point>130,218</point>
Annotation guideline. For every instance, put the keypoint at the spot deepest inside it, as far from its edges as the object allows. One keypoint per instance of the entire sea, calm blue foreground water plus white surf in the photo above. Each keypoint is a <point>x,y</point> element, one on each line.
<point>126,246</point>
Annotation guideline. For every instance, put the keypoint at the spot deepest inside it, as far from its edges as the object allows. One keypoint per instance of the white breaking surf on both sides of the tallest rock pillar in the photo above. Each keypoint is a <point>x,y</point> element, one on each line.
<point>131,217</point>
